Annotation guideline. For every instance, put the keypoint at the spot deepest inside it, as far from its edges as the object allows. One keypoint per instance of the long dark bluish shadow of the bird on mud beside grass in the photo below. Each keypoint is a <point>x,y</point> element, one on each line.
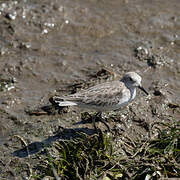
<point>62,134</point>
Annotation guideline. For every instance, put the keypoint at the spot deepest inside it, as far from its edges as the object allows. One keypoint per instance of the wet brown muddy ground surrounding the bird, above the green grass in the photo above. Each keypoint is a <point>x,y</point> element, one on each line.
<point>59,46</point>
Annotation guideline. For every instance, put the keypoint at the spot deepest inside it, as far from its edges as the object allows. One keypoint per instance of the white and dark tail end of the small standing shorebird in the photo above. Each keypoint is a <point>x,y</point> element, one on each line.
<point>61,102</point>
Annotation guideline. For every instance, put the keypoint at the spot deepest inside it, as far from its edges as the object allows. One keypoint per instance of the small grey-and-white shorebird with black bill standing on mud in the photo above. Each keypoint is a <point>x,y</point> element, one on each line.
<point>106,96</point>
